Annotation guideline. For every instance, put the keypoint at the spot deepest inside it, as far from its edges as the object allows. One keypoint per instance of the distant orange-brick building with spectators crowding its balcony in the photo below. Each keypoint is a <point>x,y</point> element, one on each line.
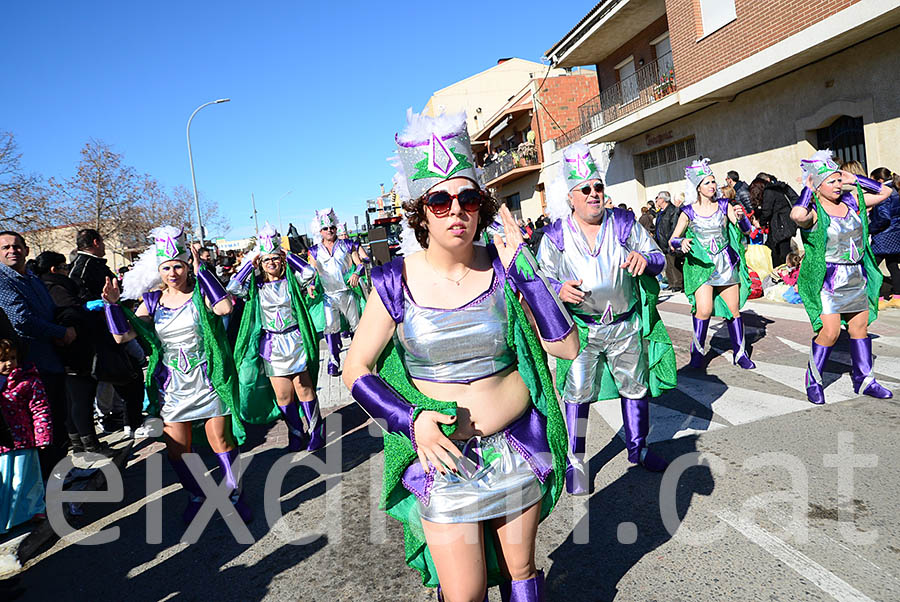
<point>509,146</point>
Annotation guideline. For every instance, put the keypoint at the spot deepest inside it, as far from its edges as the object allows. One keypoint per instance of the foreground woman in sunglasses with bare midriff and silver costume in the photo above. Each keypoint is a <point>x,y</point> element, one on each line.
<point>446,311</point>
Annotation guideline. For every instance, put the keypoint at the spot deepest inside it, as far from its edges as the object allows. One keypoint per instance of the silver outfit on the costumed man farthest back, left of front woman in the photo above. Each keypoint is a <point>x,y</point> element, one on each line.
<point>339,299</point>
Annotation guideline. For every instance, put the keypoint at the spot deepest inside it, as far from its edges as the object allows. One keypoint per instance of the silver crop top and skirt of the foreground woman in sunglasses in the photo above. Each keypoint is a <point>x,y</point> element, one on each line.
<point>462,345</point>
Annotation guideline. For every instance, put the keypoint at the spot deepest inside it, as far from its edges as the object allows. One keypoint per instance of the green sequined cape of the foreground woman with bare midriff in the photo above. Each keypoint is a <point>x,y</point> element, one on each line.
<point>399,503</point>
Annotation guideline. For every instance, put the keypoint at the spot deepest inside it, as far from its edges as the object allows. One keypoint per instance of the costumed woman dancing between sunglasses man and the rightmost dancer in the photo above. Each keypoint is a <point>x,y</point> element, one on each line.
<point>712,223</point>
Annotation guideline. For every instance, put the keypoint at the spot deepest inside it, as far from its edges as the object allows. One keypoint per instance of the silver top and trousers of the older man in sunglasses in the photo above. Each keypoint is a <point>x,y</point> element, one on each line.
<point>614,328</point>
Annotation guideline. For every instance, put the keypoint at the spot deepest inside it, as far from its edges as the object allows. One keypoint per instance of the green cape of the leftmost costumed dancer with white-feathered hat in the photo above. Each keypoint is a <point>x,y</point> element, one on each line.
<point>219,364</point>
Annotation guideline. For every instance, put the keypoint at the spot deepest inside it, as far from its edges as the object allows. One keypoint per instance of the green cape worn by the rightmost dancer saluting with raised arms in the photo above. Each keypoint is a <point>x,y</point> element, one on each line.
<point>812,269</point>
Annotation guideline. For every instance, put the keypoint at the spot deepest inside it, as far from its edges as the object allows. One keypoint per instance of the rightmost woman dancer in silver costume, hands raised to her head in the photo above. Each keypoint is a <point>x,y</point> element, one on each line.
<point>839,279</point>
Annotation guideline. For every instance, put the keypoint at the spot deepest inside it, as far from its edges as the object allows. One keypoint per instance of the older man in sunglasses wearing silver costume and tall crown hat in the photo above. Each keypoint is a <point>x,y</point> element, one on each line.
<point>604,269</point>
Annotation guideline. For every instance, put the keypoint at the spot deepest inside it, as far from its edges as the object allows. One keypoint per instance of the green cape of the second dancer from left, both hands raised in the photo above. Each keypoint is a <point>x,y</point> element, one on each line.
<point>257,399</point>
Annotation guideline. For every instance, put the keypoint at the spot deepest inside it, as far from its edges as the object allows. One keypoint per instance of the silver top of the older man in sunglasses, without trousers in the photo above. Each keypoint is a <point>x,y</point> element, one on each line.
<point>605,284</point>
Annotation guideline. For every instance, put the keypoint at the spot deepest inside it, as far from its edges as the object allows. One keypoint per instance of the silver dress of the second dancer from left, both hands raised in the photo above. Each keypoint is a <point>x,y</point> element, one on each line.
<point>281,346</point>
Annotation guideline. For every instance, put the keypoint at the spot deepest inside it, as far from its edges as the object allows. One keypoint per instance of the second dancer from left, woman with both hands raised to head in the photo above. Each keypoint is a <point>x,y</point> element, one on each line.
<point>276,333</point>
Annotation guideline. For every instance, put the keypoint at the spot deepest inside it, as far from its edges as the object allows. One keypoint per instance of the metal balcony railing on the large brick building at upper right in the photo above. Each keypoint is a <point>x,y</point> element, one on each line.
<point>647,85</point>
